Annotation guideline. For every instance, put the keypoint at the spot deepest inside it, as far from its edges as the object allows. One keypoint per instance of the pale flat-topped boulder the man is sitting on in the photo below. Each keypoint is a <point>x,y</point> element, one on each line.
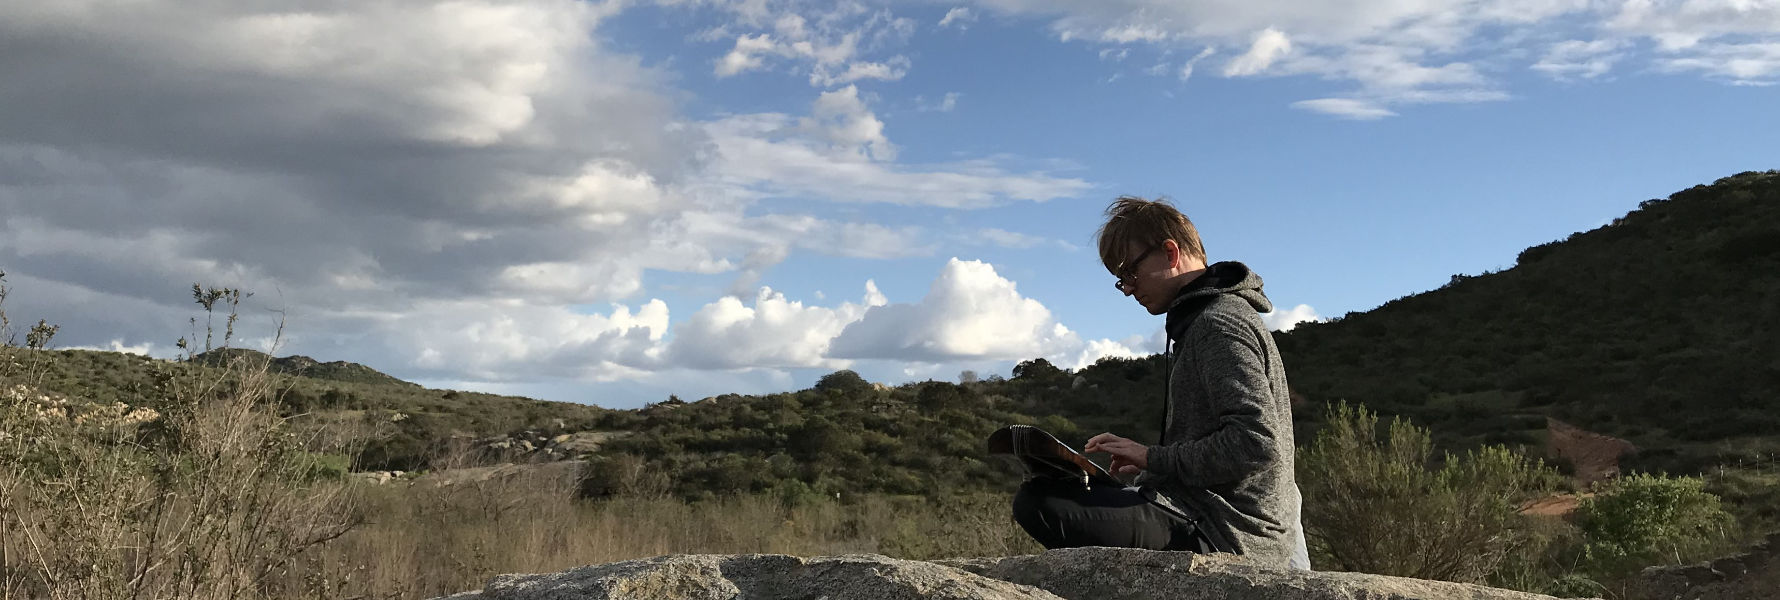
<point>1076,574</point>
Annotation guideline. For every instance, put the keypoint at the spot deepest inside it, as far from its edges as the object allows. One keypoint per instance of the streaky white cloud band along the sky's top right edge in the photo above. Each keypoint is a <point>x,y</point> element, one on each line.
<point>1428,53</point>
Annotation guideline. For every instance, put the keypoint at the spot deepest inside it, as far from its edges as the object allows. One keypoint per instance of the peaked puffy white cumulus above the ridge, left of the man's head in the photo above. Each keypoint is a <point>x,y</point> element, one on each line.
<point>969,314</point>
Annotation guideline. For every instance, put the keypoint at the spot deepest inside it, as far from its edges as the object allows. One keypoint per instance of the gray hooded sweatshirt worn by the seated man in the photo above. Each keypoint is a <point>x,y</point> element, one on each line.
<point>1227,435</point>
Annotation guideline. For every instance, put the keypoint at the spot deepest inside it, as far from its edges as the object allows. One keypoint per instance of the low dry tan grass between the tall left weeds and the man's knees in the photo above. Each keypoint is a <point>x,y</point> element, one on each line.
<point>435,540</point>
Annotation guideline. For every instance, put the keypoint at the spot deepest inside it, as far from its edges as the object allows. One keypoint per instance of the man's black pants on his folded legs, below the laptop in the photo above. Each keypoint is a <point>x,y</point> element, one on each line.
<point>1064,515</point>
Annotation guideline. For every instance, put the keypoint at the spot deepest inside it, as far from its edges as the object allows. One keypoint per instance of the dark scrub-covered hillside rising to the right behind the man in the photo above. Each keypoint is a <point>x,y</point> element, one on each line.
<point>1662,328</point>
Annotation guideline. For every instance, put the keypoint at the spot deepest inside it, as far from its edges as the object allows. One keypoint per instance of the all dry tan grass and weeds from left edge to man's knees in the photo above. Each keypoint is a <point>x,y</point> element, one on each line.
<point>207,492</point>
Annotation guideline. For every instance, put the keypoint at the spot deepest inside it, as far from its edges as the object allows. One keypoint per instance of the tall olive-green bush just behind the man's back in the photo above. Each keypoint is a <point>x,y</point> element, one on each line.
<point>1384,507</point>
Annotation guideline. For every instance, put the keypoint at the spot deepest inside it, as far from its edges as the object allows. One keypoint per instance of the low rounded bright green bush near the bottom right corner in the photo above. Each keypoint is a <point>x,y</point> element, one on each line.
<point>1651,519</point>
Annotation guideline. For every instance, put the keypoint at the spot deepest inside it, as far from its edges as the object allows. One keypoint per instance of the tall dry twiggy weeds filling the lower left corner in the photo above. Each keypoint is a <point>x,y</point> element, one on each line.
<point>202,496</point>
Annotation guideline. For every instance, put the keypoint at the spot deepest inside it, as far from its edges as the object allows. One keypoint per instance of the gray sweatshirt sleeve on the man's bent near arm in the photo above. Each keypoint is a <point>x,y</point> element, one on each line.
<point>1238,393</point>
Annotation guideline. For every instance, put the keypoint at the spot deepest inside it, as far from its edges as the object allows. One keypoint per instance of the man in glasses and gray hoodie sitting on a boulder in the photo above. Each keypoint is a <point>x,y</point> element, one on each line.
<point>1222,476</point>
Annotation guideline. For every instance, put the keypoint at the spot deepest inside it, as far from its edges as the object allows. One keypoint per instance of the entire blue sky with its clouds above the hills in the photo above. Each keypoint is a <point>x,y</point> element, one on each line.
<point>619,202</point>
